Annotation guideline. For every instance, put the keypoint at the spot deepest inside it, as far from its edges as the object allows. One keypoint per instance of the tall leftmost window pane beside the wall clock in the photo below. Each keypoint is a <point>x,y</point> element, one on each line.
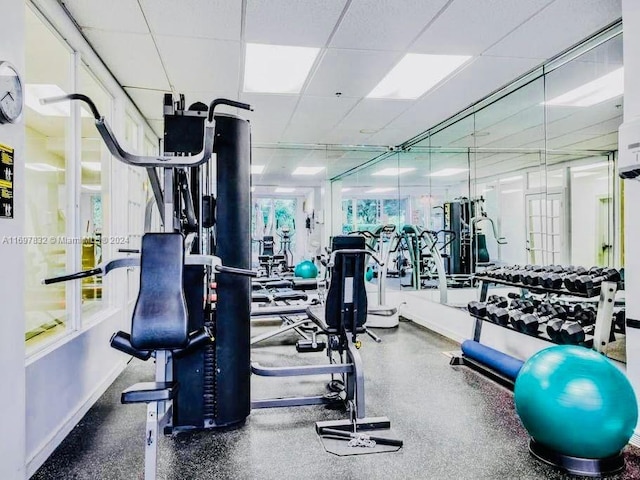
<point>47,150</point>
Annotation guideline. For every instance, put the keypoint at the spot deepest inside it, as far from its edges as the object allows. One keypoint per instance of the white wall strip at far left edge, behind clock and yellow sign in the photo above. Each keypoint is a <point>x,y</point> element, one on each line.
<point>12,348</point>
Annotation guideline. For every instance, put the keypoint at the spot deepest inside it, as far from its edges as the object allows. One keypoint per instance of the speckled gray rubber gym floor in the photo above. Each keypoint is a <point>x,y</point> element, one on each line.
<point>455,424</point>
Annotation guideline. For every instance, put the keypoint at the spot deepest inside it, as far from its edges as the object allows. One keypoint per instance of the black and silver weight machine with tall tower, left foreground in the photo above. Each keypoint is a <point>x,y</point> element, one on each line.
<point>200,184</point>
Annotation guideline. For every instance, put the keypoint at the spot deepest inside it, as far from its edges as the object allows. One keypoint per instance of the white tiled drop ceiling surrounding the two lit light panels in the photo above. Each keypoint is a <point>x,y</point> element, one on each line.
<point>361,40</point>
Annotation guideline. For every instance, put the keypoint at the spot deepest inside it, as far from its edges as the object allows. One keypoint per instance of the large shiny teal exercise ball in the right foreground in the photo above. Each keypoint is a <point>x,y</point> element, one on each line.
<point>574,401</point>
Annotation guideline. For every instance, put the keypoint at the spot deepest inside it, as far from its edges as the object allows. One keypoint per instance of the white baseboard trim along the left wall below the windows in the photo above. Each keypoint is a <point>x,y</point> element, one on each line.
<point>35,461</point>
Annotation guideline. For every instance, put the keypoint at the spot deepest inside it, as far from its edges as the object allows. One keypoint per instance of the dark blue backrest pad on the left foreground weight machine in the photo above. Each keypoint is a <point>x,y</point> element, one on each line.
<point>159,320</point>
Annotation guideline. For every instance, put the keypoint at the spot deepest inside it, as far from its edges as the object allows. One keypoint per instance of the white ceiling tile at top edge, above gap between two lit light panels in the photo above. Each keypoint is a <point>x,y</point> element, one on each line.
<point>384,24</point>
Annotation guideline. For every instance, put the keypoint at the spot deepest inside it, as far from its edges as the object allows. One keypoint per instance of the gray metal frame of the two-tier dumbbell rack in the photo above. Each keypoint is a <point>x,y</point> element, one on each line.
<point>604,317</point>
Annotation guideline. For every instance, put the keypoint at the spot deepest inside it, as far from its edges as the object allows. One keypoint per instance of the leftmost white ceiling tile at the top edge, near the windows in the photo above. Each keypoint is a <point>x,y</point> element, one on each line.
<point>113,15</point>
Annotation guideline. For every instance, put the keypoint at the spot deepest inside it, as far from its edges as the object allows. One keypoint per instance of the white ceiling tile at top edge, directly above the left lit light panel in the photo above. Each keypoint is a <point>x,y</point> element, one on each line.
<point>305,23</point>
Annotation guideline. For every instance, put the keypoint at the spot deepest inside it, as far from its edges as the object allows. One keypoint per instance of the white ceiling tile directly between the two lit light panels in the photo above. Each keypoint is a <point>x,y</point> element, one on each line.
<point>353,73</point>
